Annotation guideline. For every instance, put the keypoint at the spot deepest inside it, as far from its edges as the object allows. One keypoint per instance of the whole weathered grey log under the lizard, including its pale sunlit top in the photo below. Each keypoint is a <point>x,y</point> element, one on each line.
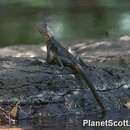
<point>50,91</point>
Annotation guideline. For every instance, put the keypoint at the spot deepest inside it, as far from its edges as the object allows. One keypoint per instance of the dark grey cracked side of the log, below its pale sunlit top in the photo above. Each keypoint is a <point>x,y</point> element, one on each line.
<point>51,91</point>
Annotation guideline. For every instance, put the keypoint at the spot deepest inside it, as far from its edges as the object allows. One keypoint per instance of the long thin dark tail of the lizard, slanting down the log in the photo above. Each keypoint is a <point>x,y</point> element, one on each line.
<point>91,86</point>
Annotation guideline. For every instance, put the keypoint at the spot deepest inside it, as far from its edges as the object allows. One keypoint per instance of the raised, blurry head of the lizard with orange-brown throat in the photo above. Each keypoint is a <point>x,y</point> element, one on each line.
<point>44,30</point>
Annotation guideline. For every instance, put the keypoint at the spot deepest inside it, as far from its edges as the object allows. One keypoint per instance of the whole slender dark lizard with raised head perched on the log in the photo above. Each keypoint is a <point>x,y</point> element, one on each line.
<point>58,54</point>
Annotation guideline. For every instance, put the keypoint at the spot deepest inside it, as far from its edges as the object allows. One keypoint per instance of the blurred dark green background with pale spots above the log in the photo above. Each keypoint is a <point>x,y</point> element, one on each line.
<point>70,20</point>
